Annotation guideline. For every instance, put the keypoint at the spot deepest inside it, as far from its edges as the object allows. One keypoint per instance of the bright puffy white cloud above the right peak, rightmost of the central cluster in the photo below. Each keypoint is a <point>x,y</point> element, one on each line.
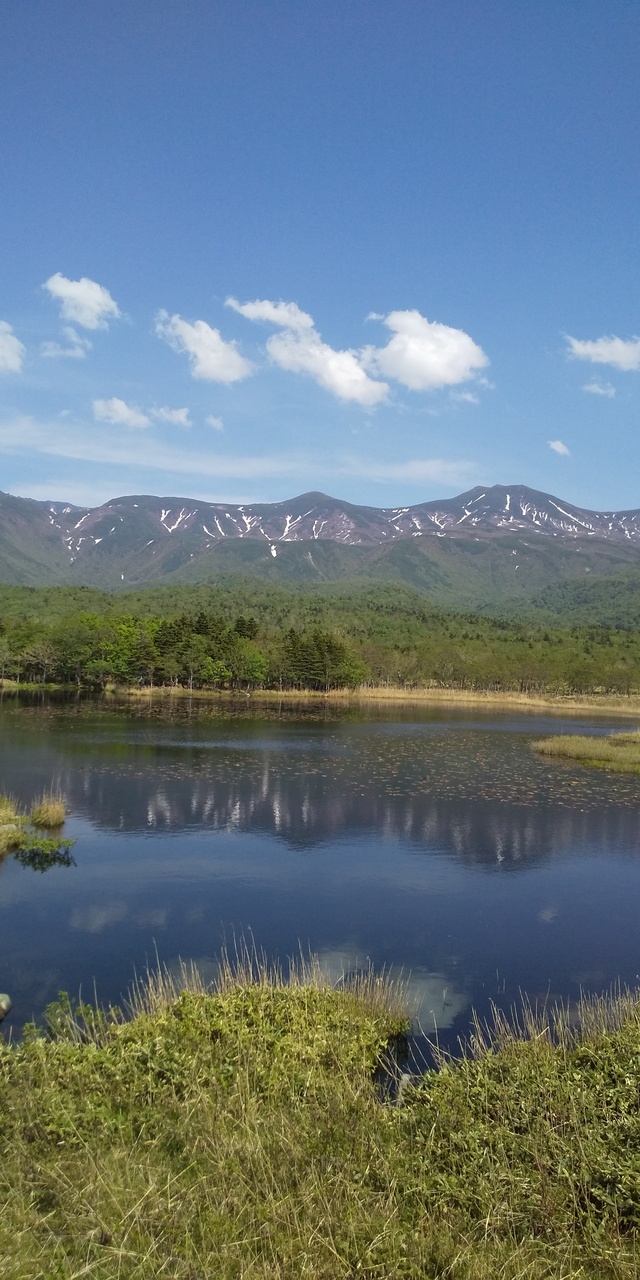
<point>424,355</point>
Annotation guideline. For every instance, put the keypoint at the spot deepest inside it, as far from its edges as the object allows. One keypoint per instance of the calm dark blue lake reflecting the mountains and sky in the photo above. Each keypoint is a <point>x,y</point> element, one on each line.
<point>427,840</point>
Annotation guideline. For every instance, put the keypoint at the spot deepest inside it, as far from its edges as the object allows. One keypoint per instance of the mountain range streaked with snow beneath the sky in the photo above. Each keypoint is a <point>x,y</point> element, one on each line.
<point>486,547</point>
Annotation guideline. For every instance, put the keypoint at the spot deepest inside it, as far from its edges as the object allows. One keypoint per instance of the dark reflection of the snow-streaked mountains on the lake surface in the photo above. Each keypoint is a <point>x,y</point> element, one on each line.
<point>307,811</point>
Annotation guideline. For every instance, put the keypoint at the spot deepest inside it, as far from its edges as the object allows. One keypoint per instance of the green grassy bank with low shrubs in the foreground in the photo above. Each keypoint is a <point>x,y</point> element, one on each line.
<point>241,1135</point>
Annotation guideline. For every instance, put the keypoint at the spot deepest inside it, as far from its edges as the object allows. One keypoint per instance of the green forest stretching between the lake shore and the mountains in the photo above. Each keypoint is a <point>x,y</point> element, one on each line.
<point>248,636</point>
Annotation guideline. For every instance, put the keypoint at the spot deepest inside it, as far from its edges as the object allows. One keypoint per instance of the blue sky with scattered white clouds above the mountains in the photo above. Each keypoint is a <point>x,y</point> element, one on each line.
<point>386,250</point>
